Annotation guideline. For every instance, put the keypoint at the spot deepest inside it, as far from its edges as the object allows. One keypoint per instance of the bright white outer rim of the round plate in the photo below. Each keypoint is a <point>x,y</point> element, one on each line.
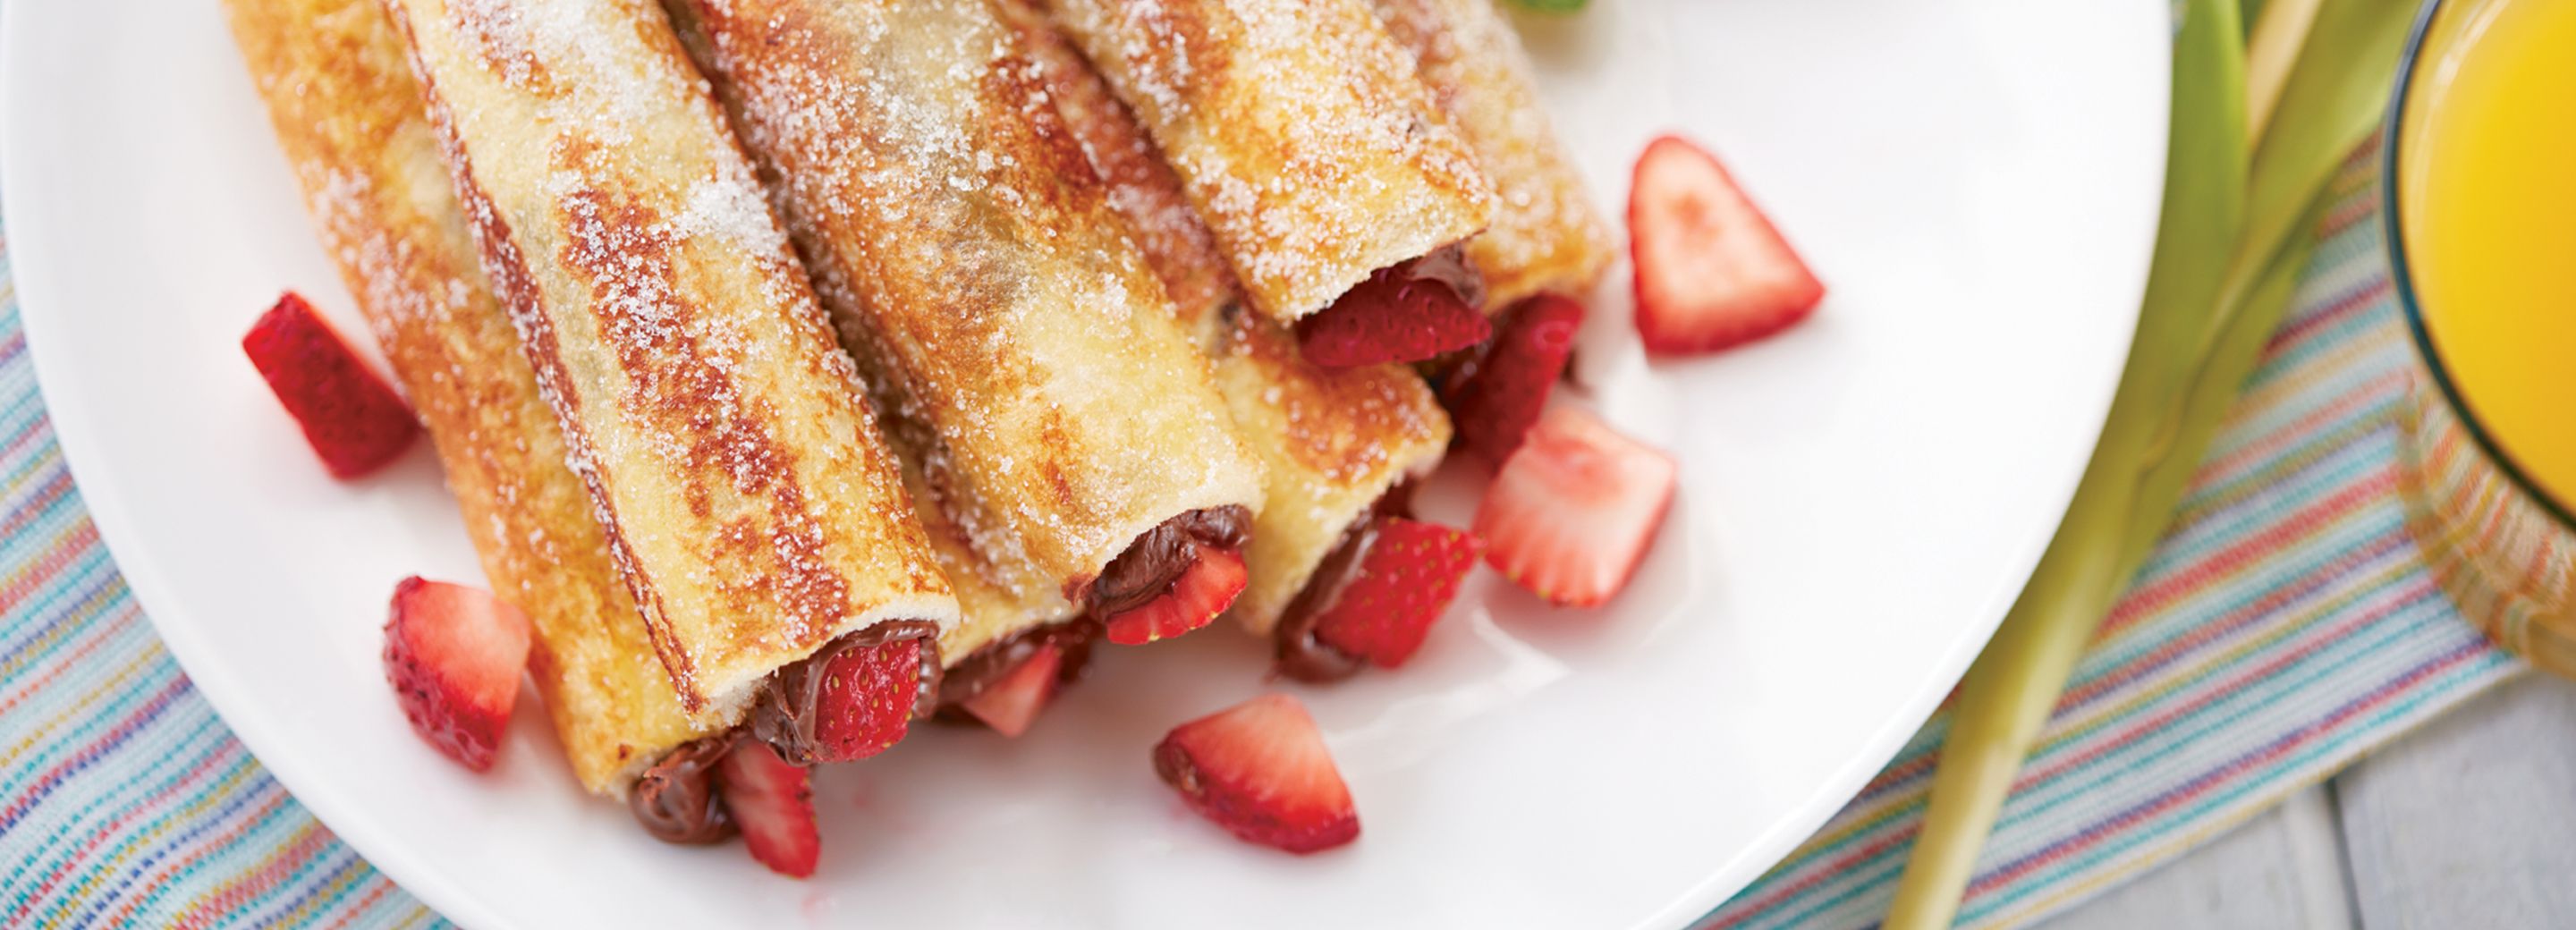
<point>434,887</point>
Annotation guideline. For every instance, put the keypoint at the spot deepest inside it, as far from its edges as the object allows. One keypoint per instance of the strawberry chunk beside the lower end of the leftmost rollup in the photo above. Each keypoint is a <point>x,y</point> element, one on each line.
<point>455,656</point>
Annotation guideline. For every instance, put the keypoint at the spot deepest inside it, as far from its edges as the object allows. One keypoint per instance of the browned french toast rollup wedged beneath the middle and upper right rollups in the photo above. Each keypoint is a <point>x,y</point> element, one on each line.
<point>1338,442</point>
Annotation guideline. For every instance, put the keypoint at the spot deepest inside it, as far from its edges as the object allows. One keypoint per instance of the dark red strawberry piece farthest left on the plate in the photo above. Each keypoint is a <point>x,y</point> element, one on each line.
<point>354,421</point>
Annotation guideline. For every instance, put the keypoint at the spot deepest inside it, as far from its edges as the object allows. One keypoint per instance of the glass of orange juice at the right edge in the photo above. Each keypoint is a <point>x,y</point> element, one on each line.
<point>2479,179</point>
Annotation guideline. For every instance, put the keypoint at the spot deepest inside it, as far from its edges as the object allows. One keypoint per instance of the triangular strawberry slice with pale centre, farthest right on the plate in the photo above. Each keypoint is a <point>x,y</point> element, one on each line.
<point>1712,272</point>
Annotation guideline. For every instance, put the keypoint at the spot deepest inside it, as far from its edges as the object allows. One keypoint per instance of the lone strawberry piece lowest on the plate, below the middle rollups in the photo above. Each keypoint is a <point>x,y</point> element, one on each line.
<point>1261,772</point>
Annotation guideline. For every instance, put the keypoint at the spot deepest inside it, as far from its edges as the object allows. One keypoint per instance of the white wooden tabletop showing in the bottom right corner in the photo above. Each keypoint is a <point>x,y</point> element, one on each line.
<point>2467,823</point>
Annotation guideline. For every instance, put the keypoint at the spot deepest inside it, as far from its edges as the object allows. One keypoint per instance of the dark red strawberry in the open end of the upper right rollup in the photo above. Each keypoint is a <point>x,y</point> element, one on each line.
<point>1387,321</point>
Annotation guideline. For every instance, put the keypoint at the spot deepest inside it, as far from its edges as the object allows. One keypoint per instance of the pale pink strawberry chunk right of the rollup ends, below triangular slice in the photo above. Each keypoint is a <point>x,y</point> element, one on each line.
<point>1573,511</point>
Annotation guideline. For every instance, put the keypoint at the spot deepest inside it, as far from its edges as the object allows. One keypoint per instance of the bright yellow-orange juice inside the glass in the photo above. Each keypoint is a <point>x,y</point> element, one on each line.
<point>2487,187</point>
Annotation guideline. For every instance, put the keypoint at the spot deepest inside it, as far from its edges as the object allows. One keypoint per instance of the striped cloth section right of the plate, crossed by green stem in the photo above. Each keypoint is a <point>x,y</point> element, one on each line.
<point>2281,630</point>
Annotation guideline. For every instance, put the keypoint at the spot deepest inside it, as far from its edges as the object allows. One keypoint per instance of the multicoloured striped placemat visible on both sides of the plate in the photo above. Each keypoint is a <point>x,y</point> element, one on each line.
<point>2284,630</point>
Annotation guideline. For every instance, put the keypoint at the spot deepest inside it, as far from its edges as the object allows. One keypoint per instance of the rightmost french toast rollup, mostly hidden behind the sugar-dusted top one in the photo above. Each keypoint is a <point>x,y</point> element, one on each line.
<point>1547,236</point>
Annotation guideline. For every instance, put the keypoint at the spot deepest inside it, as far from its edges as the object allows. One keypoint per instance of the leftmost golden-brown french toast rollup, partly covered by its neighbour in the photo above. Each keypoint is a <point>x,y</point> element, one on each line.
<point>352,122</point>
